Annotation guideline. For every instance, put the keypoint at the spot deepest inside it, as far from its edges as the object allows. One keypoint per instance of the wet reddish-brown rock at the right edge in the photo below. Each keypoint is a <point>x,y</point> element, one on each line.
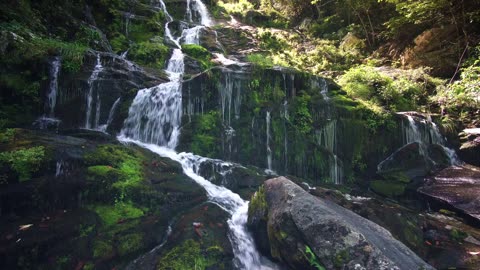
<point>456,187</point>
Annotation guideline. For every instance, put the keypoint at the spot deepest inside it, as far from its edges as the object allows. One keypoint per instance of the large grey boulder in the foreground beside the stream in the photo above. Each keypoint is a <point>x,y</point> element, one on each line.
<point>305,231</point>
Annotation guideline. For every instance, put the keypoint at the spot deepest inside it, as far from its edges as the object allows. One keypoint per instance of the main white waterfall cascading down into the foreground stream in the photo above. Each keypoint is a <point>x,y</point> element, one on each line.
<point>154,123</point>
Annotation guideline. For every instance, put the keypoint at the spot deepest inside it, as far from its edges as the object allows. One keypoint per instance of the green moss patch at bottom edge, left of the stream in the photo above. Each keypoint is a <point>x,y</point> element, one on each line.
<point>188,255</point>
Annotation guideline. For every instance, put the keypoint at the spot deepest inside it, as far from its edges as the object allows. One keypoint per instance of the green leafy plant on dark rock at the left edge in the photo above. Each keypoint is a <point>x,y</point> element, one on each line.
<point>24,161</point>
